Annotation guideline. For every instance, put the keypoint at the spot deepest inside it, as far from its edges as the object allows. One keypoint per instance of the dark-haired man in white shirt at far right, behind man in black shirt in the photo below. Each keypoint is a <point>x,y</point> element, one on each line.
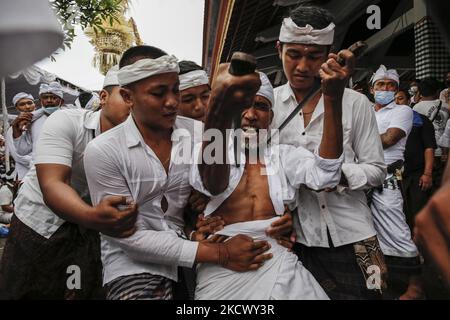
<point>437,111</point>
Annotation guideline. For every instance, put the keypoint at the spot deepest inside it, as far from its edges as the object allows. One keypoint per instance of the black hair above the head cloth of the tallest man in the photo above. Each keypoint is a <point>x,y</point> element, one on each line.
<point>318,18</point>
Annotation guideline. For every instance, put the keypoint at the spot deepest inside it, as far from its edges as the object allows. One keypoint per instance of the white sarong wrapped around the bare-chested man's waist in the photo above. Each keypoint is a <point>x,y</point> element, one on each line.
<point>281,278</point>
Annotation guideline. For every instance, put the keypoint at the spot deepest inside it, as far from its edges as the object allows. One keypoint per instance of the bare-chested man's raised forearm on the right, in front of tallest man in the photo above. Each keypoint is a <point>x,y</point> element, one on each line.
<point>332,137</point>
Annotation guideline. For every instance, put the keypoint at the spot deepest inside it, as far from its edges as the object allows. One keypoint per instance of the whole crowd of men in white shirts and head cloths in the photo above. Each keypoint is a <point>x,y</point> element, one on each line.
<point>155,196</point>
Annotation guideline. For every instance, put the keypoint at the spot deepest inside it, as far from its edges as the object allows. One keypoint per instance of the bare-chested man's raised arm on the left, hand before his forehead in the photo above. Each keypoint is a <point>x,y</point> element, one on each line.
<point>230,94</point>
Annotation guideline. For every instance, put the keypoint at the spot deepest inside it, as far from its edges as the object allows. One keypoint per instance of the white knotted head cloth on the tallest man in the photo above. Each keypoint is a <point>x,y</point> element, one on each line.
<point>291,33</point>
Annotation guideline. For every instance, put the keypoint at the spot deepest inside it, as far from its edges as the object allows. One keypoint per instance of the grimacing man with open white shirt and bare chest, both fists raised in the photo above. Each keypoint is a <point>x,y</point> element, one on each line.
<point>253,194</point>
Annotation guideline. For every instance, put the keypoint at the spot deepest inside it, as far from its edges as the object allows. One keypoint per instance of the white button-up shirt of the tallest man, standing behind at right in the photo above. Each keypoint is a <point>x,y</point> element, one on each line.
<point>343,213</point>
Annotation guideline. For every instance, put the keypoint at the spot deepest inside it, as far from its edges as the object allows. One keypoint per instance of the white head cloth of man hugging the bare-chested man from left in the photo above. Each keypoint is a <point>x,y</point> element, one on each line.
<point>145,68</point>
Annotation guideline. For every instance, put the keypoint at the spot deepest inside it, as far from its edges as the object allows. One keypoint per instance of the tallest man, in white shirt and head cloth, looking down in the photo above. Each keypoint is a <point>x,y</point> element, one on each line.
<point>335,233</point>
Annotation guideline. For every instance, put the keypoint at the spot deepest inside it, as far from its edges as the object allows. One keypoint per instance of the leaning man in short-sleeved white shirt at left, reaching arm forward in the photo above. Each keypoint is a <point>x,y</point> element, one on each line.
<point>52,227</point>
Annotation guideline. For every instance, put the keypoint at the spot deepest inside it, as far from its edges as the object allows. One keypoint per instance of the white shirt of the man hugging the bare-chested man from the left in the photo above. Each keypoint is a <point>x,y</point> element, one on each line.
<point>119,162</point>
